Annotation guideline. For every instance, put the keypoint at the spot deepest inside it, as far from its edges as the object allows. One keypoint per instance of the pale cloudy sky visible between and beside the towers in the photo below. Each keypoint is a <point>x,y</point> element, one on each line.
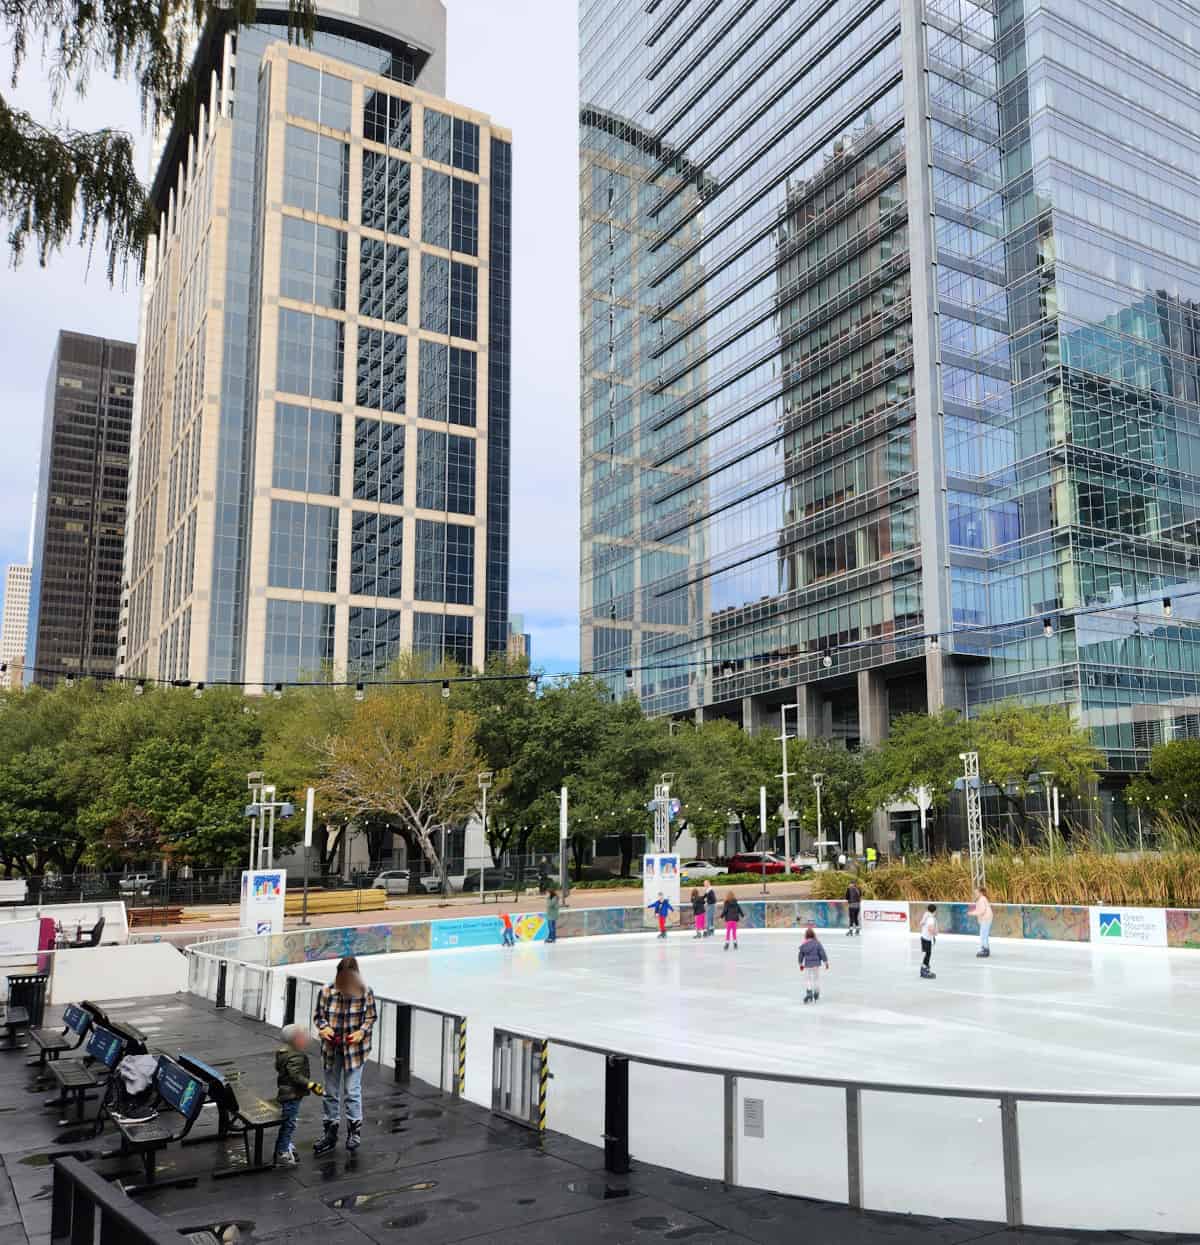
<point>515,60</point>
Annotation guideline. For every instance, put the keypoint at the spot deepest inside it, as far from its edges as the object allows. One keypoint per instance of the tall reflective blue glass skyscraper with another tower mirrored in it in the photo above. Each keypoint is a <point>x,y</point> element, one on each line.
<point>889,347</point>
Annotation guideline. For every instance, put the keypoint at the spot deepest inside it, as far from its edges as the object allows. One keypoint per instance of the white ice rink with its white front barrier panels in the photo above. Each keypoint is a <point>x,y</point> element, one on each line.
<point>1036,1017</point>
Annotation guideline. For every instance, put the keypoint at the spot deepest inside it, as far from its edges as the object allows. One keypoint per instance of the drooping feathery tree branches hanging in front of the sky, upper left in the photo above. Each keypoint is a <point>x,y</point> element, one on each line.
<point>59,184</point>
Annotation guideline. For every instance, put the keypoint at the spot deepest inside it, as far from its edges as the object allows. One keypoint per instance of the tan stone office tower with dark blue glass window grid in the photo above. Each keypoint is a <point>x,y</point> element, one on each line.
<point>323,418</point>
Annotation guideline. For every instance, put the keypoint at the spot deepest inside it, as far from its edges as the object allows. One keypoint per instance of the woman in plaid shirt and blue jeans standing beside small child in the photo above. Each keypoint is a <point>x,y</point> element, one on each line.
<point>345,1019</point>
